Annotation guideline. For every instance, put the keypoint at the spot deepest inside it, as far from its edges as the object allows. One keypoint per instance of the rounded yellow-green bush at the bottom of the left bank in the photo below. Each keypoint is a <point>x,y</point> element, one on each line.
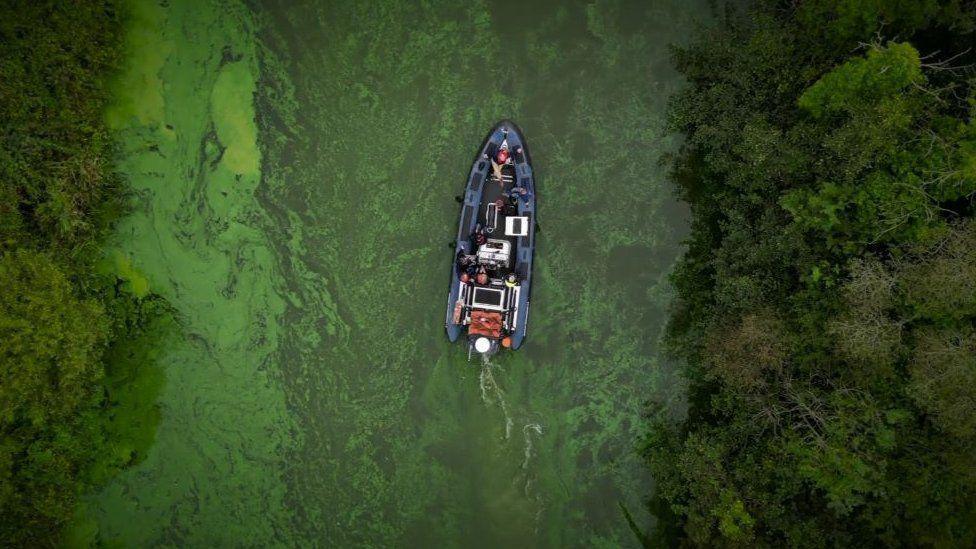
<point>49,393</point>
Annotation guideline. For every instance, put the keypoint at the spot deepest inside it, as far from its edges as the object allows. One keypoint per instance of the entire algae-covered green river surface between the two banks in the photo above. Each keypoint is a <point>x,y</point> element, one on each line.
<point>294,166</point>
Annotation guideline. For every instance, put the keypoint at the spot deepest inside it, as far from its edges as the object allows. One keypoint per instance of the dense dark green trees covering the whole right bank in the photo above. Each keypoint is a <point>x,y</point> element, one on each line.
<point>825,304</point>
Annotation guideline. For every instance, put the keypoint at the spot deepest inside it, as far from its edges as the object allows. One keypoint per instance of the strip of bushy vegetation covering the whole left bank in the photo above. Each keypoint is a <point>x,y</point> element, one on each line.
<point>77,380</point>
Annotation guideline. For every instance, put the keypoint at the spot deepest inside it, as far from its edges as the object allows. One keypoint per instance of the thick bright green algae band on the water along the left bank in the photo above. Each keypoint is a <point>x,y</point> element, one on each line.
<point>185,123</point>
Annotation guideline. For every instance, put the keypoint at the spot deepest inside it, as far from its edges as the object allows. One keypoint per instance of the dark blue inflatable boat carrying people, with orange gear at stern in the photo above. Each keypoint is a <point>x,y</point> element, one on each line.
<point>491,277</point>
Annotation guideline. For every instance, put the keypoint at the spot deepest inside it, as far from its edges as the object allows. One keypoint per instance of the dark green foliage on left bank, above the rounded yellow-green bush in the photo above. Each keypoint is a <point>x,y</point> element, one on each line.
<point>54,152</point>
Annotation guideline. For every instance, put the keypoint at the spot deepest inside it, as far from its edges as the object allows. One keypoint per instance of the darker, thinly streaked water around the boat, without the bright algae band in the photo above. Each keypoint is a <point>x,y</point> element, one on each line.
<point>370,114</point>
